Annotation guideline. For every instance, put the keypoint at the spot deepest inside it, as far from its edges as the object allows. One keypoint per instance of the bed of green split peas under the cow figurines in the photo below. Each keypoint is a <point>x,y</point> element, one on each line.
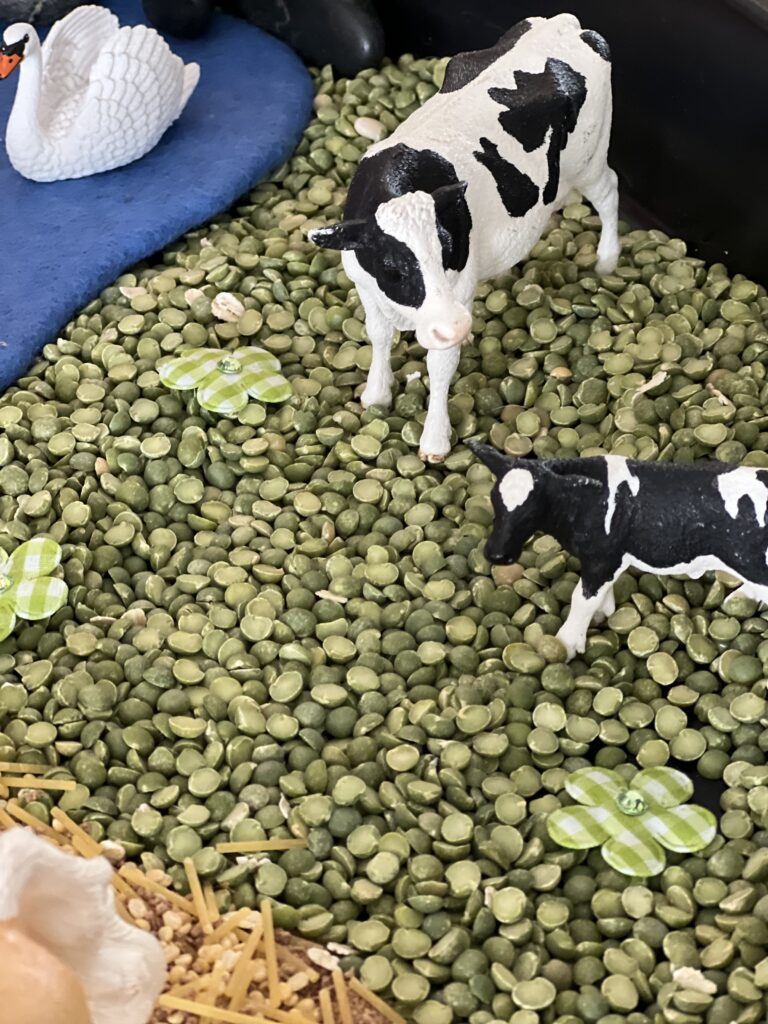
<point>286,626</point>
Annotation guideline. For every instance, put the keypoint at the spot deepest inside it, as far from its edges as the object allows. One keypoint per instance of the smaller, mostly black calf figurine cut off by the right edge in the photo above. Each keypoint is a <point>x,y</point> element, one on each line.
<point>616,514</point>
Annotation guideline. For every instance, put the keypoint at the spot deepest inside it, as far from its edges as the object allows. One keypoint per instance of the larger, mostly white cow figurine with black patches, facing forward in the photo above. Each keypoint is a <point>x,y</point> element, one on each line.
<point>463,190</point>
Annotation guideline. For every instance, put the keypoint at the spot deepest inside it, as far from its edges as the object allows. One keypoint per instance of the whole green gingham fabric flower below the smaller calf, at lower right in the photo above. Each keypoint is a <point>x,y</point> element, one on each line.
<point>632,822</point>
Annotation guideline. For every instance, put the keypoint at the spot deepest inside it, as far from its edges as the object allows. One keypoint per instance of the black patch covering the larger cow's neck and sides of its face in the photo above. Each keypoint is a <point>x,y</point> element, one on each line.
<point>392,173</point>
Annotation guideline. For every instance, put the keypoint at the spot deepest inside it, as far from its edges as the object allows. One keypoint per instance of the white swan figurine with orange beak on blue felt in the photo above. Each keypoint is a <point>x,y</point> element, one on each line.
<point>93,98</point>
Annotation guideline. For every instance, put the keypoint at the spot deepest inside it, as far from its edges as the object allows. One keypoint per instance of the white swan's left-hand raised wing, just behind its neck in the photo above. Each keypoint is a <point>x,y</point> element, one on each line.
<point>69,54</point>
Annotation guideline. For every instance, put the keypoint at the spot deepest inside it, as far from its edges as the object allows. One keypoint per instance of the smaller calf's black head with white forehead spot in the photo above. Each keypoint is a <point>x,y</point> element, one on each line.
<point>518,497</point>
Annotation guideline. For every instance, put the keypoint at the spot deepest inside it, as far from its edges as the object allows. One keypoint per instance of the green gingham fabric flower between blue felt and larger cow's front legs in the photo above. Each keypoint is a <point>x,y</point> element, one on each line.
<point>225,380</point>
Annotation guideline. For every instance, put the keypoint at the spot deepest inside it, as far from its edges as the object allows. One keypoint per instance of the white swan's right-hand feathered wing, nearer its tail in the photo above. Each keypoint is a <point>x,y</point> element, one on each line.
<point>138,89</point>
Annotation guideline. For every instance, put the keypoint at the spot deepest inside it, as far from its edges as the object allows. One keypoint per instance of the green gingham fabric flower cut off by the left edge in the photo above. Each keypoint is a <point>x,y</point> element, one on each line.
<point>27,591</point>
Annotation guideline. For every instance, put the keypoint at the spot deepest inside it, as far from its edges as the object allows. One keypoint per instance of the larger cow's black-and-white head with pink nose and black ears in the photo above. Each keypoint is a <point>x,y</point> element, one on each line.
<point>404,248</point>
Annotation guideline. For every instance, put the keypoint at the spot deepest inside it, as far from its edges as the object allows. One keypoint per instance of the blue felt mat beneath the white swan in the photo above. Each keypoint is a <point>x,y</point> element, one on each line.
<point>64,242</point>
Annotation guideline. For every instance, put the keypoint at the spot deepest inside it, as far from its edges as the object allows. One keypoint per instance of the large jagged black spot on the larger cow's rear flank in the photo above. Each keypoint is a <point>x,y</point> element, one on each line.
<point>548,101</point>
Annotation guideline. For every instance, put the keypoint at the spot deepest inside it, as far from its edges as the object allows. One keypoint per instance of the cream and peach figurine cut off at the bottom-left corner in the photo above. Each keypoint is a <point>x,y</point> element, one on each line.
<point>66,955</point>
